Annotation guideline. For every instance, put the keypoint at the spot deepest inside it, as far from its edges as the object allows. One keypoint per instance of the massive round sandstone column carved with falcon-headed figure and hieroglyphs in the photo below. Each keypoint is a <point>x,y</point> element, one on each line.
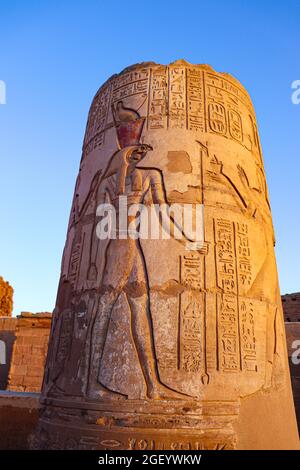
<point>154,345</point>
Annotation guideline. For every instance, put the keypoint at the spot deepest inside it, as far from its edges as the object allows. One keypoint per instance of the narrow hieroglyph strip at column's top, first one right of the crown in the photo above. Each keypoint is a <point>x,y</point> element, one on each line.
<point>158,100</point>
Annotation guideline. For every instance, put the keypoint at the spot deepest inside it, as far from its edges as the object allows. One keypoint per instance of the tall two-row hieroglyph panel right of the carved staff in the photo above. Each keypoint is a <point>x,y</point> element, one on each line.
<point>236,328</point>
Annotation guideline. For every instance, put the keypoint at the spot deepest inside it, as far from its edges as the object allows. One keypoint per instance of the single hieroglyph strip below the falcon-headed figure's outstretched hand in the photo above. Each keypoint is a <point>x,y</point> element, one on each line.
<point>191,314</point>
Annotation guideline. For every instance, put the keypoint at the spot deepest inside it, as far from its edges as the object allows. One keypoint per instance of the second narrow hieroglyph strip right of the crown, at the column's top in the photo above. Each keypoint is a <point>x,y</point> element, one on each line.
<point>177,98</point>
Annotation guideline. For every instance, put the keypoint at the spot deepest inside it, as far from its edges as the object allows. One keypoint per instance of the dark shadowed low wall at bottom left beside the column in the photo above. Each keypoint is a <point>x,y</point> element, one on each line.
<point>18,419</point>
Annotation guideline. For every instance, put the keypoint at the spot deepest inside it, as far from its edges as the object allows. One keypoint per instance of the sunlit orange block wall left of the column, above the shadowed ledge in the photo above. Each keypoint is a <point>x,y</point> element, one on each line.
<point>29,352</point>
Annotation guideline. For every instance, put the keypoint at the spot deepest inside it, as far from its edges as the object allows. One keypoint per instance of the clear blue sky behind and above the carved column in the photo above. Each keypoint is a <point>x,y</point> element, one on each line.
<point>54,55</point>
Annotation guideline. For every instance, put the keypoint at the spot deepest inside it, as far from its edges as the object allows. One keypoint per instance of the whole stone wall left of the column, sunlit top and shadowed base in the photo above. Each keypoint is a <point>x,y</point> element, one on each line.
<point>25,339</point>
